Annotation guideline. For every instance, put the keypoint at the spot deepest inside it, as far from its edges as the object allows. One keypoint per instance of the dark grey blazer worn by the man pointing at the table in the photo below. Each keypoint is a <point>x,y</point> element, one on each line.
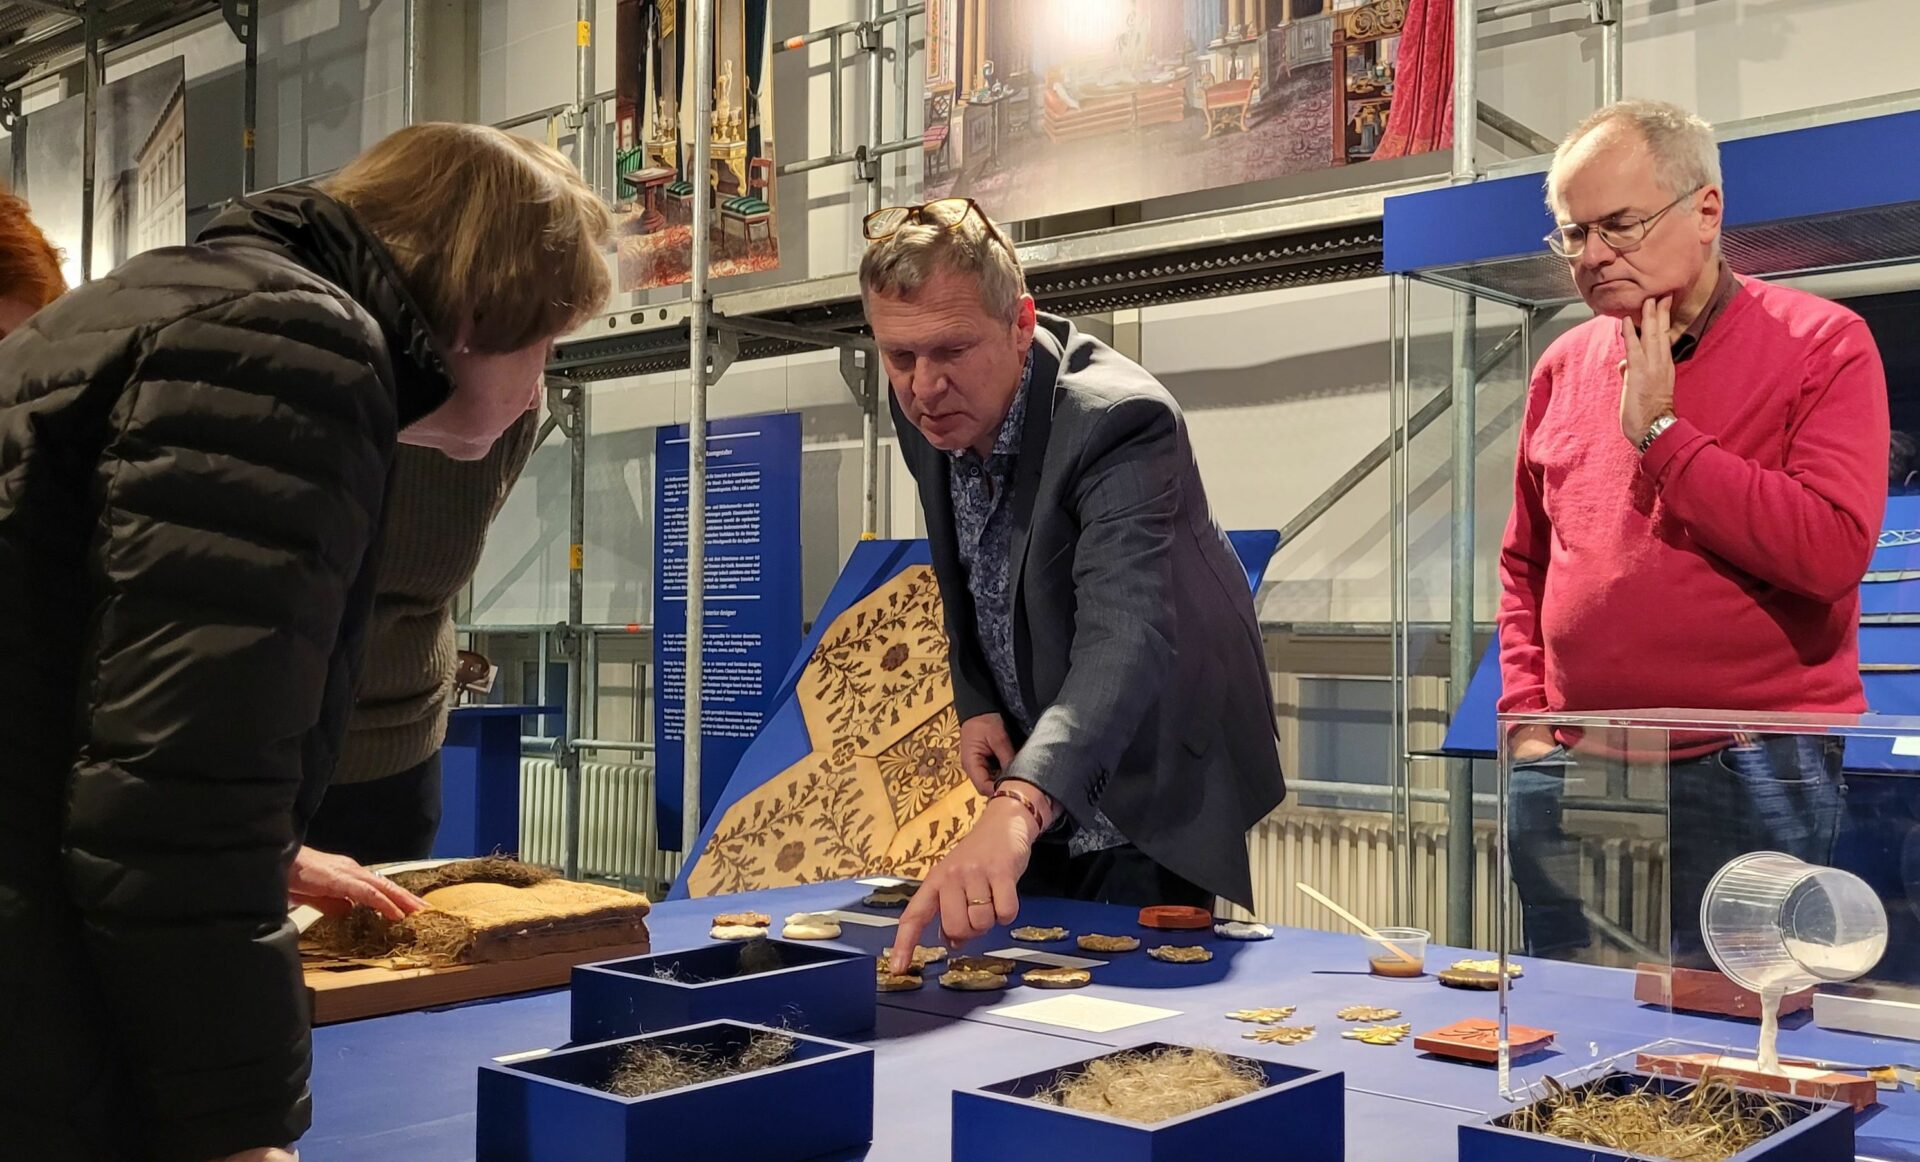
<point>1134,627</point>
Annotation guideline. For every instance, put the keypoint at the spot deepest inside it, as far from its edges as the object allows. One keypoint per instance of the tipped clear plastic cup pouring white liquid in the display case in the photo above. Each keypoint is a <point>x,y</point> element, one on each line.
<point>1779,925</point>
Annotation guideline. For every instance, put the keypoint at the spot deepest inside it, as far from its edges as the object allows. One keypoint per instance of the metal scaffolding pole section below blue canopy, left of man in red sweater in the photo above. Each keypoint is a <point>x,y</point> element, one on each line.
<point>1460,642</point>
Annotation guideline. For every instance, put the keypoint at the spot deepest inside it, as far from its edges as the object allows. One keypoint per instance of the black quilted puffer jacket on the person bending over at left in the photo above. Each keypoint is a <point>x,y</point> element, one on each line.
<point>193,460</point>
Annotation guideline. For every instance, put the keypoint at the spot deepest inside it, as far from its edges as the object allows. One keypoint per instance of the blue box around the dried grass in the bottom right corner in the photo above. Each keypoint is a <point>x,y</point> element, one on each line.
<point>1819,1132</point>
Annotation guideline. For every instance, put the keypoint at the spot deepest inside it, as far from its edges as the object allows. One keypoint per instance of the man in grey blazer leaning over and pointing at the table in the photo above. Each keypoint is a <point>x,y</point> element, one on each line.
<point>1109,671</point>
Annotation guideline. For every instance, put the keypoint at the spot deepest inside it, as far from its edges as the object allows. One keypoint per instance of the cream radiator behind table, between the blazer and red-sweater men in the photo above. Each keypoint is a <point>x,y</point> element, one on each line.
<point>1351,858</point>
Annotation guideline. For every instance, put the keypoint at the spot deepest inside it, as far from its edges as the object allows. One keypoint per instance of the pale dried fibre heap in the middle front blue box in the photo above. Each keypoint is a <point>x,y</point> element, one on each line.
<point>1157,1086</point>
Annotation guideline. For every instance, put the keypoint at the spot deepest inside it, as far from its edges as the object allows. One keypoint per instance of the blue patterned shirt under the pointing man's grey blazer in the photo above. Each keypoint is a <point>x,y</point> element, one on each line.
<point>982,493</point>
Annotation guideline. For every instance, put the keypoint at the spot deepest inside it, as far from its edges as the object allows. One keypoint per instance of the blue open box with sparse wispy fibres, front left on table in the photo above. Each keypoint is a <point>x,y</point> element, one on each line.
<point>550,1109</point>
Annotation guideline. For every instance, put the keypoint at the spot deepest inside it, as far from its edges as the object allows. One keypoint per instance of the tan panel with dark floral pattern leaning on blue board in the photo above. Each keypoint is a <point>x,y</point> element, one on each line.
<point>882,792</point>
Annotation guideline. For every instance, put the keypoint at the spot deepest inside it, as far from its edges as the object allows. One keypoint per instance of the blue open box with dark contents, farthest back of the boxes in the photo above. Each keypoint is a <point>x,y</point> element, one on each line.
<point>817,990</point>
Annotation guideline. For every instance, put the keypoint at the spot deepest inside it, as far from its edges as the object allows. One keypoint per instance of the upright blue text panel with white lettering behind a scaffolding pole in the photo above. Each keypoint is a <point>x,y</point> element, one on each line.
<point>754,598</point>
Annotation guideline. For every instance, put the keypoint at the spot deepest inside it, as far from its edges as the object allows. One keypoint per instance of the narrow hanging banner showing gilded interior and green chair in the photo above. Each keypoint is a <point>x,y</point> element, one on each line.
<point>654,143</point>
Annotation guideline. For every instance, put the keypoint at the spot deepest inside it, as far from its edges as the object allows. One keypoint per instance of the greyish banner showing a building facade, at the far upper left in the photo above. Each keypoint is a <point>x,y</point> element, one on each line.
<point>139,168</point>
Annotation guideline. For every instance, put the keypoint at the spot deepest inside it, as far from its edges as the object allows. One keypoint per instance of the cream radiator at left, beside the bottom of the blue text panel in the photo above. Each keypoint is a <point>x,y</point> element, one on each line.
<point>617,835</point>
